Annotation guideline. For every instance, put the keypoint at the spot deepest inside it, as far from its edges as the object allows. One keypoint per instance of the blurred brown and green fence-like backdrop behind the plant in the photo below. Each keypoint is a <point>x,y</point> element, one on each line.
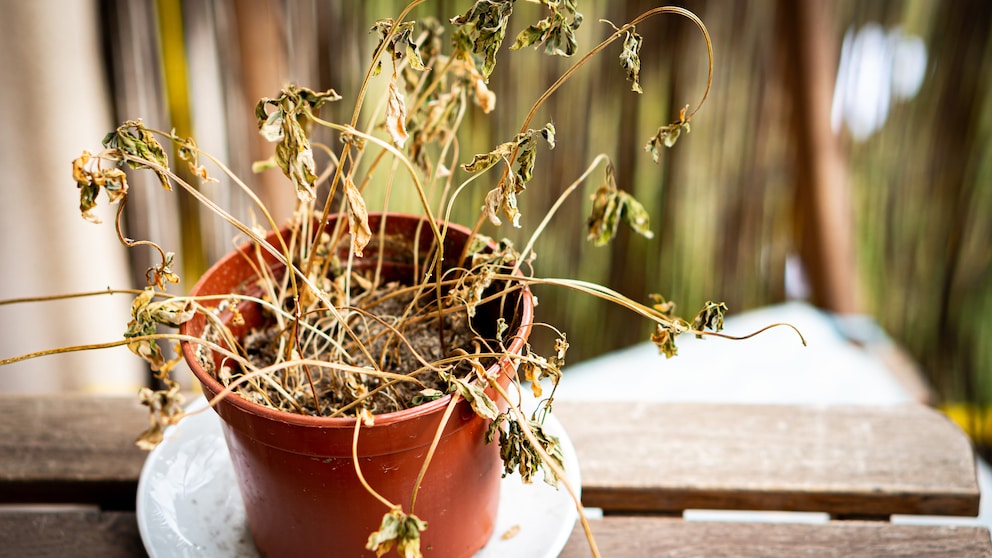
<point>843,157</point>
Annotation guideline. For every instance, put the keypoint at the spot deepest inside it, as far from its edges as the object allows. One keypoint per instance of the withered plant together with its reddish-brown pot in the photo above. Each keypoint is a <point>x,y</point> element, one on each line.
<point>368,358</point>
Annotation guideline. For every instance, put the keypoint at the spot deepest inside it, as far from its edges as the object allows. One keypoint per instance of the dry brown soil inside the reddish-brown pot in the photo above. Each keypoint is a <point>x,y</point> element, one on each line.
<point>337,390</point>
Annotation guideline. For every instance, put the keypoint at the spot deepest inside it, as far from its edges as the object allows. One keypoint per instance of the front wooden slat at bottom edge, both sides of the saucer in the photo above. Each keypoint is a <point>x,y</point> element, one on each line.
<point>115,534</point>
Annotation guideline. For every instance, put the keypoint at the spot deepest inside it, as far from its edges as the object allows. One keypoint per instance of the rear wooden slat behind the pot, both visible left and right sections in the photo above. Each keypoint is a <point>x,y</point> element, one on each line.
<point>634,457</point>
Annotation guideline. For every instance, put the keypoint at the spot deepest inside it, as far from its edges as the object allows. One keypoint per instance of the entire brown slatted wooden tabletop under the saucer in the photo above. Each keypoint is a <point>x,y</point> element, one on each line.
<point>69,474</point>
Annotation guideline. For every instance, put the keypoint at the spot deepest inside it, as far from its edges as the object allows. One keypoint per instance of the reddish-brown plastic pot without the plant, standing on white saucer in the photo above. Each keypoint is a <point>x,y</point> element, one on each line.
<point>296,473</point>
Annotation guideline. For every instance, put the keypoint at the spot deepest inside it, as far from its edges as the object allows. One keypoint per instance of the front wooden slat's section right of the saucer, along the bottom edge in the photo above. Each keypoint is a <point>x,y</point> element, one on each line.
<point>620,537</point>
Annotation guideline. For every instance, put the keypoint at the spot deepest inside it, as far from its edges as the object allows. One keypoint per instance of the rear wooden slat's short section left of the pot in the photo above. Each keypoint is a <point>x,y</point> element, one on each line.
<point>70,448</point>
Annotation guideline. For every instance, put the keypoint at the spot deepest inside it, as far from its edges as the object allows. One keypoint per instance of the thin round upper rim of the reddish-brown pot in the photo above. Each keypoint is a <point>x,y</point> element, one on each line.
<point>211,385</point>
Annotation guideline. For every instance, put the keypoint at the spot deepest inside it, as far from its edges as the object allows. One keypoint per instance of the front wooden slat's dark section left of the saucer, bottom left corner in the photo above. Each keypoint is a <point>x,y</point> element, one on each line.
<point>43,534</point>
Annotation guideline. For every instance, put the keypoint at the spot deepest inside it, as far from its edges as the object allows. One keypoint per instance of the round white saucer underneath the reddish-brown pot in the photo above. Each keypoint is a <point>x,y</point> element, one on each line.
<point>183,510</point>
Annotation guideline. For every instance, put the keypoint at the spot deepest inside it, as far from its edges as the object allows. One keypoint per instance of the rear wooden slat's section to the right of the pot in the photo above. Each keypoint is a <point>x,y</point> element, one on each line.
<point>862,461</point>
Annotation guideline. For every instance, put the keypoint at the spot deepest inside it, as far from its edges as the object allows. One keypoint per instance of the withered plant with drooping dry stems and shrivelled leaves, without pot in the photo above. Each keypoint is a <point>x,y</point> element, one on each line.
<point>339,339</point>
